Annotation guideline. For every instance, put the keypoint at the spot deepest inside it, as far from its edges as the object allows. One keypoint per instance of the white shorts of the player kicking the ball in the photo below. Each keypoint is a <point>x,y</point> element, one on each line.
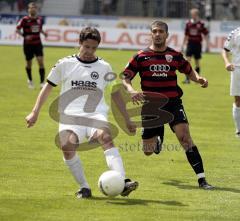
<point>86,131</point>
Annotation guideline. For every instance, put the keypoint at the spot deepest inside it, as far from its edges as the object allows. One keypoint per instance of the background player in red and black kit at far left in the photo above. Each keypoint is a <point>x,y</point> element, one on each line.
<point>32,45</point>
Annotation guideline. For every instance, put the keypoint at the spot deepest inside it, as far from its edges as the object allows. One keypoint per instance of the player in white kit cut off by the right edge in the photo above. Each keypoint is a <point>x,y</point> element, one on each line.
<point>232,46</point>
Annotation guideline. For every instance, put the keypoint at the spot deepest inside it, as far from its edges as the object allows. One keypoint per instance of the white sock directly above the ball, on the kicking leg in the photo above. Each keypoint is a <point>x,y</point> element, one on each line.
<point>114,160</point>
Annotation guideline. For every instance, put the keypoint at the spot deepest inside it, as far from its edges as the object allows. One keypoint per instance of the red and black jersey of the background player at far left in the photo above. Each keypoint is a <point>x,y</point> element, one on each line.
<point>32,28</point>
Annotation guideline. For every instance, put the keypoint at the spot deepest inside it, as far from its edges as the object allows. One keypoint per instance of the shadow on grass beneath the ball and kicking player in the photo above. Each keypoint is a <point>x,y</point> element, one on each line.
<point>127,201</point>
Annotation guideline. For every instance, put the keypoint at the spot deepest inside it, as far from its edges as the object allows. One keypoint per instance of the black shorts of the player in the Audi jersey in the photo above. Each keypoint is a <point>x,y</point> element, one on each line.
<point>174,109</point>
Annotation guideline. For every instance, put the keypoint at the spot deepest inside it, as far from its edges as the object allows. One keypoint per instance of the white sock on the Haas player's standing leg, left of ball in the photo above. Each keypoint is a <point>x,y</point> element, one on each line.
<point>76,169</point>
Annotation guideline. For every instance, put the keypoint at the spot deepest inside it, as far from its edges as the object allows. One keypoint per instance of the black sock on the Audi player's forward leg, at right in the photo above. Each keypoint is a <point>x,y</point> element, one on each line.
<point>195,160</point>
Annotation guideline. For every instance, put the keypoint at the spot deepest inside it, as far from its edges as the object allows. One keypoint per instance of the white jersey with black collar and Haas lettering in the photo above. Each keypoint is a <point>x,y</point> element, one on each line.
<point>82,85</point>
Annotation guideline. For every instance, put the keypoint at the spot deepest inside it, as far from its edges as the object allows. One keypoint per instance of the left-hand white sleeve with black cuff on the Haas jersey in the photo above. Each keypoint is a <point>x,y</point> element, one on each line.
<point>55,75</point>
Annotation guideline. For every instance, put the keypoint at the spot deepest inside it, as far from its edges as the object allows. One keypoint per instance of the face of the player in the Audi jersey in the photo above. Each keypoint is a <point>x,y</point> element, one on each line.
<point>159,35</point>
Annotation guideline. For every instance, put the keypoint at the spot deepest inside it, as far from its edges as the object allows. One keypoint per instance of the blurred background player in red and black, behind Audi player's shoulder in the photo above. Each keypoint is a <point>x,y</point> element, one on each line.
<point>195,30</point>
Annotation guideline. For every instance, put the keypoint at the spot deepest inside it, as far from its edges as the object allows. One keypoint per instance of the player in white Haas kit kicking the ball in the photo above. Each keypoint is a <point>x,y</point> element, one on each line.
<point>83,74</point>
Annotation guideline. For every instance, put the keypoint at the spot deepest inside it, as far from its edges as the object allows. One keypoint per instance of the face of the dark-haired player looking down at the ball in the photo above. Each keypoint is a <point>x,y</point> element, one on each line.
<point>88,49</point>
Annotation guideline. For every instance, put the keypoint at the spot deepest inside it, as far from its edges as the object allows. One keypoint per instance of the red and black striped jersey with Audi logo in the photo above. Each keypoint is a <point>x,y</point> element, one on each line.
<point>157,71</point>
